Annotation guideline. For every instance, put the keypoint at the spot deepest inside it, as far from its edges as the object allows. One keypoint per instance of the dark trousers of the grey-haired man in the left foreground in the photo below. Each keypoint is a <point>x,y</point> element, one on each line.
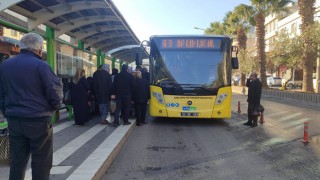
<point>30,136</point>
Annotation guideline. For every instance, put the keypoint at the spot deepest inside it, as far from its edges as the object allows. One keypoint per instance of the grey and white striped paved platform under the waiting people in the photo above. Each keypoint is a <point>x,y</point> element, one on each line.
<point>84,152</point>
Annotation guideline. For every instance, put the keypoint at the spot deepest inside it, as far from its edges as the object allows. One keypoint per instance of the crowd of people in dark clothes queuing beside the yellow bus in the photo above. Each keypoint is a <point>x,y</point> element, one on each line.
<point>128,91</point>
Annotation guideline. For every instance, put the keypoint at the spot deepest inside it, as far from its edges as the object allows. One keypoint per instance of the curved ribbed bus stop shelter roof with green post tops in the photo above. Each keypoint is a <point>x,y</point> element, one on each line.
<point>92,25</point>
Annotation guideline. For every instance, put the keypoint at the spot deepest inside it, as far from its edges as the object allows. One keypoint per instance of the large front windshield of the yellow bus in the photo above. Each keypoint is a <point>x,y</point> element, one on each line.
<point>190,67</point>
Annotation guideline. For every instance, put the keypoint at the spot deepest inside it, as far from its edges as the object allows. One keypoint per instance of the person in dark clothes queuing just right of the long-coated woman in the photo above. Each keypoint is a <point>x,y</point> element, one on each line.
<point>103,85</point>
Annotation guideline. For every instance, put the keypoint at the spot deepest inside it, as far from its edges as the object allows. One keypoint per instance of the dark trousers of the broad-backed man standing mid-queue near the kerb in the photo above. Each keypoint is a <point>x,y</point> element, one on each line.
<point>123,104</point>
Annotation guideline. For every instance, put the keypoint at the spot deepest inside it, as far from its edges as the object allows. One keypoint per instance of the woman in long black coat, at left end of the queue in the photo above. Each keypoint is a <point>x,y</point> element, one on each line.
<point>80,90</point>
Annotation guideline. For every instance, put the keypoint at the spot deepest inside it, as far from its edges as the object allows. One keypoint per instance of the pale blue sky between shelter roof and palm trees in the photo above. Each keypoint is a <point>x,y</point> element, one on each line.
<point>161,17</point>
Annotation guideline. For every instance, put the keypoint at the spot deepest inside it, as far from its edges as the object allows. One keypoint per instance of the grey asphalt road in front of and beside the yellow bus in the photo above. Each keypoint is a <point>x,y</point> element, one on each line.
<point>224,149</point>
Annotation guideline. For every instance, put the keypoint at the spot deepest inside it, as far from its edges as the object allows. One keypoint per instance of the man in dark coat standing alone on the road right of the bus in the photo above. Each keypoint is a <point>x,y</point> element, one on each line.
<point>254,95</point>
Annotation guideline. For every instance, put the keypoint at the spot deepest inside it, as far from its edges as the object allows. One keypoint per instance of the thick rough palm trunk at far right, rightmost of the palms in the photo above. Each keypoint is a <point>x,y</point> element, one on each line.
<point>306,11</point>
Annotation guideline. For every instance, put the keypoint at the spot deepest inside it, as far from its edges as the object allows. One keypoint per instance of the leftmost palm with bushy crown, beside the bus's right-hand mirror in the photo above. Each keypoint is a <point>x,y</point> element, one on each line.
<point>239,24</point>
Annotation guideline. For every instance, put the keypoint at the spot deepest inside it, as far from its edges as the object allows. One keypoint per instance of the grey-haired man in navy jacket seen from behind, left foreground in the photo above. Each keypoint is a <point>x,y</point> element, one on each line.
<point>30,93</point>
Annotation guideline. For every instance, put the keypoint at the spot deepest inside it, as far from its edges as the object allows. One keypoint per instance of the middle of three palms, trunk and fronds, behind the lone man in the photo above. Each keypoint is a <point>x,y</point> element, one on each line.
<point>261,9</point>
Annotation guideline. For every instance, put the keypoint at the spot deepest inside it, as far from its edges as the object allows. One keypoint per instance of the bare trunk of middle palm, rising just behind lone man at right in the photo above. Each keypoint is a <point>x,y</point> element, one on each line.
<point>261,54</point>
